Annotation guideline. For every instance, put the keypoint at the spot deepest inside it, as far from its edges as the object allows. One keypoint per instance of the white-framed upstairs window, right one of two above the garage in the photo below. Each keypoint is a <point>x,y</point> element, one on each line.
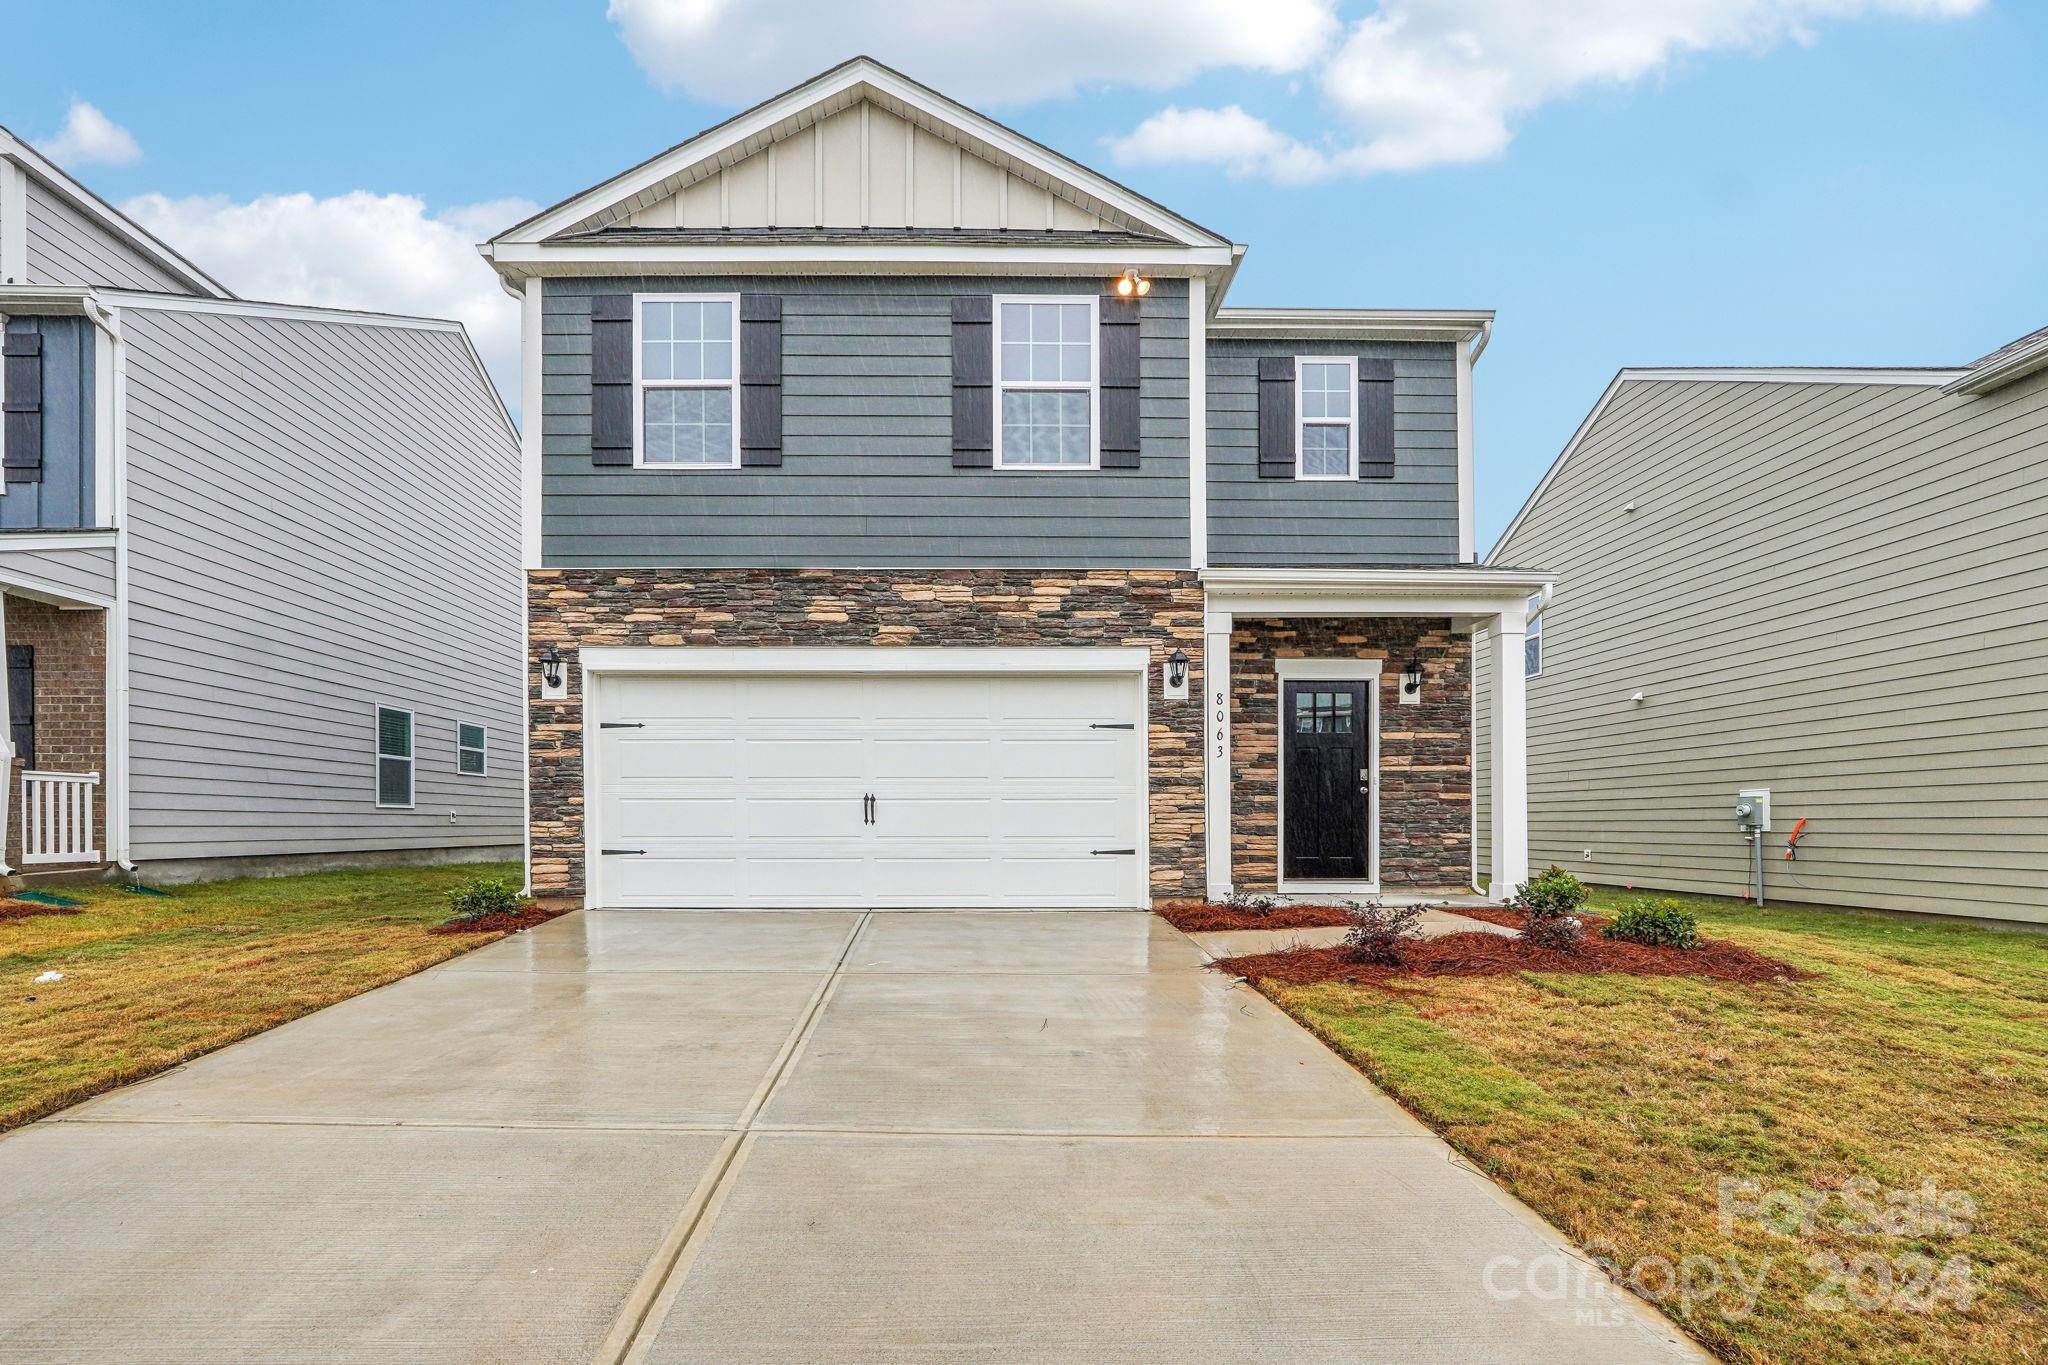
<point>1046,384</point>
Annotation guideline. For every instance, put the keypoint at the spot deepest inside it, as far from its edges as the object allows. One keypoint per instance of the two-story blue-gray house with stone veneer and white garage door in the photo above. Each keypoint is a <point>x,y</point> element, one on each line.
<point>910,523</point>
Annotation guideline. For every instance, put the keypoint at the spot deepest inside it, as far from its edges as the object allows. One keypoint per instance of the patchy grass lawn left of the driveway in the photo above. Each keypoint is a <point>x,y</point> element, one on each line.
<point>153,981</point>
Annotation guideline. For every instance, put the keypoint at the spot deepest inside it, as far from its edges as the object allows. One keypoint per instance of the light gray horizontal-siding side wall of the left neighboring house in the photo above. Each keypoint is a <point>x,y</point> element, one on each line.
<point>323,517</point>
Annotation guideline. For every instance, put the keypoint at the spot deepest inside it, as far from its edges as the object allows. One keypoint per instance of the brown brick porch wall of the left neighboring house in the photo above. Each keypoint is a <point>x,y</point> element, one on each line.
<point>71,703</point>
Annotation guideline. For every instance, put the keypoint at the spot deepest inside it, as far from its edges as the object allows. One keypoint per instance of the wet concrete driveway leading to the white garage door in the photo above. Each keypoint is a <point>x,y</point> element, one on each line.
<point>785,1137</point>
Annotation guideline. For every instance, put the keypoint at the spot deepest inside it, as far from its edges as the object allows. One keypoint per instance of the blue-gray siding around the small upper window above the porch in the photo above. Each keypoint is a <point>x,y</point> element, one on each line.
<point>1406,521</point>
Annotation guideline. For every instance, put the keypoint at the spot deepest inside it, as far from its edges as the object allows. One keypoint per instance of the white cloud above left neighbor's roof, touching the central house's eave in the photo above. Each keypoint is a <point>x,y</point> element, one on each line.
<point>359,251</point>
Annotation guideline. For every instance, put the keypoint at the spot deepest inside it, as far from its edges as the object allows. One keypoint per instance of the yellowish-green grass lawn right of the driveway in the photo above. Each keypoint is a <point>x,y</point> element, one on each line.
<point>1715,1139</point>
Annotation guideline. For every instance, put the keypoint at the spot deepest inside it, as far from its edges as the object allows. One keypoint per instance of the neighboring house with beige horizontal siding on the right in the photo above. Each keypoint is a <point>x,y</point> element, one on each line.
<point>1824,584</point>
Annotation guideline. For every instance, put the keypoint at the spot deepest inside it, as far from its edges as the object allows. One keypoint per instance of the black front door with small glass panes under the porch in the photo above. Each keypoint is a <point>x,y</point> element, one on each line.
<point>1326,783</point>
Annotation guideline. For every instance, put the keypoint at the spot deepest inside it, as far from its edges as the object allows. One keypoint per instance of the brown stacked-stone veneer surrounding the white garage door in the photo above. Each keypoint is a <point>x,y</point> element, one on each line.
<point>1160,609</point>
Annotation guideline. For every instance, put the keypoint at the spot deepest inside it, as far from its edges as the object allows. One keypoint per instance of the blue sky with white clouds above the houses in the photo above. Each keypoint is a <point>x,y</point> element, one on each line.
<point>1725,183</point>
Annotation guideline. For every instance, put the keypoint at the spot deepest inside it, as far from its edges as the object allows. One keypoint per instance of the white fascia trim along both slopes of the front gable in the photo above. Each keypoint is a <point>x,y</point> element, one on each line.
<point>839,89</point>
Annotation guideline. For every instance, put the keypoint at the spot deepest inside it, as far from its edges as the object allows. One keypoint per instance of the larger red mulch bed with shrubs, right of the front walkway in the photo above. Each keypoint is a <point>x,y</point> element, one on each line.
<point>1490,955</point>
